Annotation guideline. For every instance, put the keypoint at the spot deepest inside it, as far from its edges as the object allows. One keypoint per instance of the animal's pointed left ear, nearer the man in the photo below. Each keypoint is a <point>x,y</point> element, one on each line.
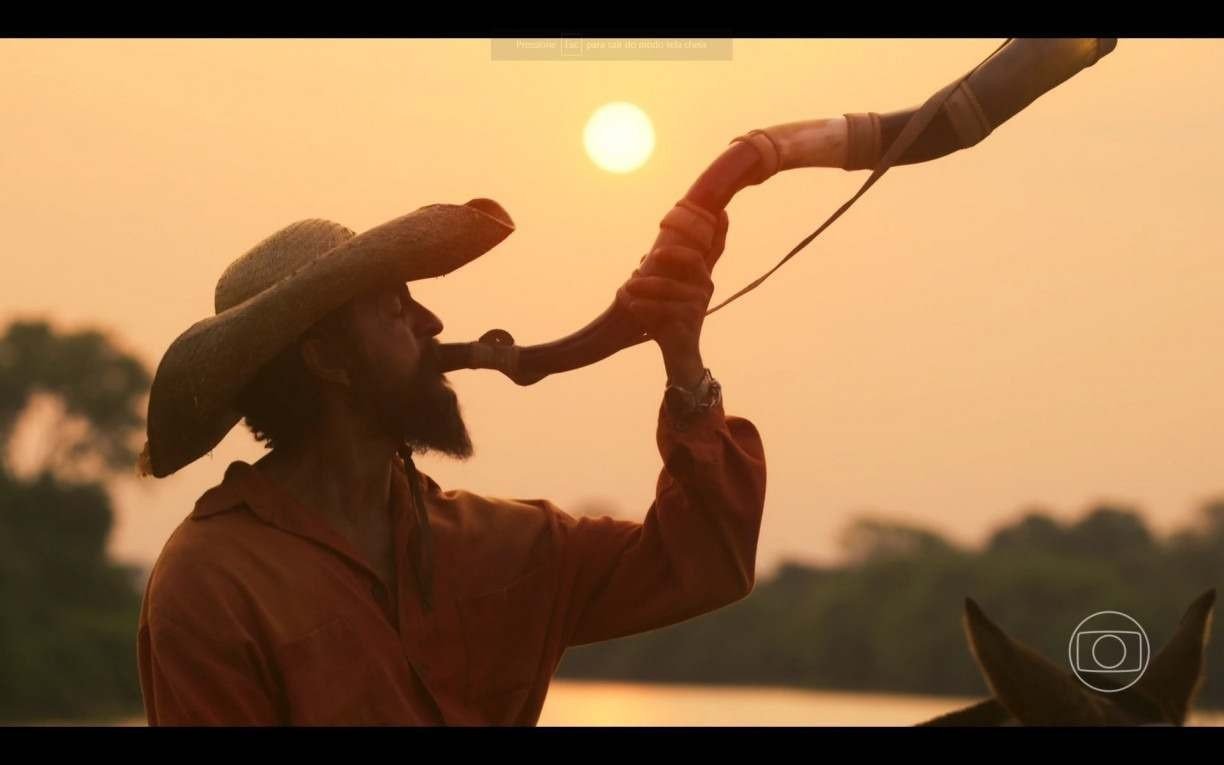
<point>1028,685</point>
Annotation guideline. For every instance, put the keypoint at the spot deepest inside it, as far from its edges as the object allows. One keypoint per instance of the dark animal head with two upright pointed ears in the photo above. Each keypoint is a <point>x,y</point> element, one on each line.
<point>1030,690</point>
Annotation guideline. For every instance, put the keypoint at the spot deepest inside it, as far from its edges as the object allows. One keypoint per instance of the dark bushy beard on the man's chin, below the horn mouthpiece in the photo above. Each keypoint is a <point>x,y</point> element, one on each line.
<point>424,417</point>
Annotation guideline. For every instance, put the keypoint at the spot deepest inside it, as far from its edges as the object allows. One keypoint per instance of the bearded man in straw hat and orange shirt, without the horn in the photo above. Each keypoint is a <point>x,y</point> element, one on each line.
<point>331,583</point>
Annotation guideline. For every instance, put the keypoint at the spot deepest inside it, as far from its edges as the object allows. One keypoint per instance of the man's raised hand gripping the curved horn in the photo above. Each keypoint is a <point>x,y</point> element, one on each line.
<point>669,296</point>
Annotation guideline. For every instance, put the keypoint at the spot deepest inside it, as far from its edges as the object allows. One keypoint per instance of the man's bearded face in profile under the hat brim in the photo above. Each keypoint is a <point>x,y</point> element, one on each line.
<point>396,378</point>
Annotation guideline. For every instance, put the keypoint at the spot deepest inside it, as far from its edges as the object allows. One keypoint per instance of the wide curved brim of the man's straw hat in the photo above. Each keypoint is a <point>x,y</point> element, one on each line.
<point>192,403</point>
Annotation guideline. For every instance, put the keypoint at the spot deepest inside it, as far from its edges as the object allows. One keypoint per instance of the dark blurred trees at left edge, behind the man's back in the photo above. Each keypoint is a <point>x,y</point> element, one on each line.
<point>68,615</point>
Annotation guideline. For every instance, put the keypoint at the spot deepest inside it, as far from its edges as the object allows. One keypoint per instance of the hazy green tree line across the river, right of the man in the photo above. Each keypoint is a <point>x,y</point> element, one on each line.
<point>890,619</point>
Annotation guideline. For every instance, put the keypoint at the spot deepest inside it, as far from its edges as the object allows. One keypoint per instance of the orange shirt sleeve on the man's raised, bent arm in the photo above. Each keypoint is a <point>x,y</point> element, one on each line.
<point>696,551</point>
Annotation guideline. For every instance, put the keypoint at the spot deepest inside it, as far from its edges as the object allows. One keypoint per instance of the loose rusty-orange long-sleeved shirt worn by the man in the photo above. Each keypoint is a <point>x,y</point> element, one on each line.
<point>258,613</point>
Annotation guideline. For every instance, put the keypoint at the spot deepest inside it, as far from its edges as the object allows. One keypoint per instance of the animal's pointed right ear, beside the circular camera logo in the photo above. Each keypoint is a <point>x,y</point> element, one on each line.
<point>1174,675</point>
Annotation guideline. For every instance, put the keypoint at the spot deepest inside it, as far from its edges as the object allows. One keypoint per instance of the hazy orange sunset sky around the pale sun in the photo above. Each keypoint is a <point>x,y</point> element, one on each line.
<point>1036,320</point>
